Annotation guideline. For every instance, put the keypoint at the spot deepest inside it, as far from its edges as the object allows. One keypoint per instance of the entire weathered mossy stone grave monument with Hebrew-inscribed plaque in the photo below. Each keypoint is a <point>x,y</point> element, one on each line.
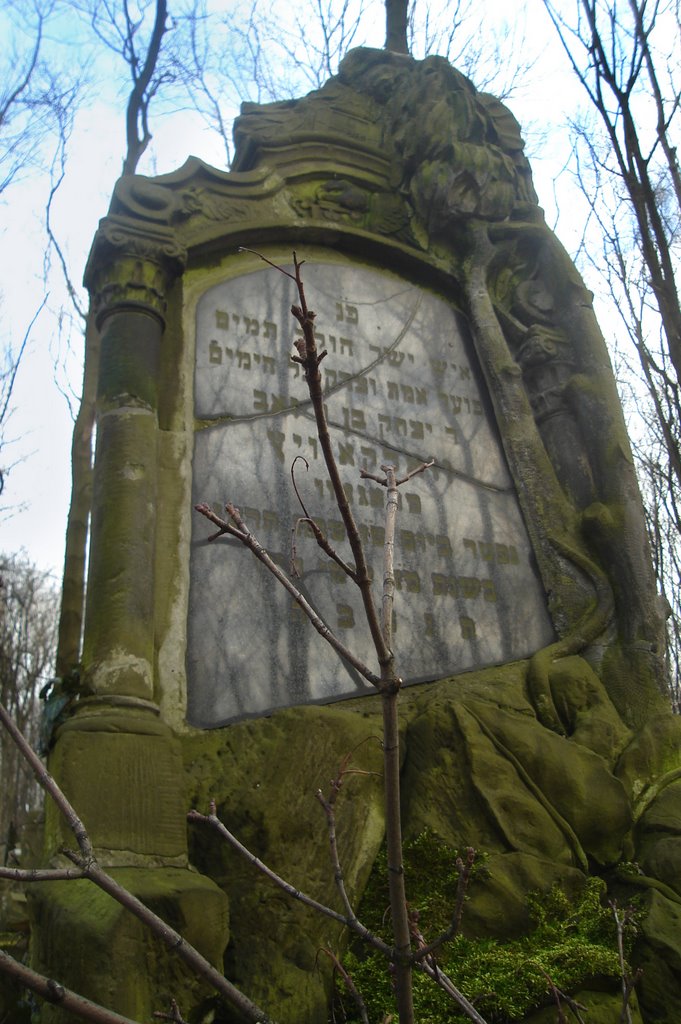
<point>527,618</point>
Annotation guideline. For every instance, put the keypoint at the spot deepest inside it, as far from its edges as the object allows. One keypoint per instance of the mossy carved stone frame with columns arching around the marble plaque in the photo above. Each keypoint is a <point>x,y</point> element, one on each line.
<point>169,238</point>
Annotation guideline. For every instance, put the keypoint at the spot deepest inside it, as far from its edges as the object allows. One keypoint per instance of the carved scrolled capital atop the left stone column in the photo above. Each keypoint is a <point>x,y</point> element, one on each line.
<point>132,270</point>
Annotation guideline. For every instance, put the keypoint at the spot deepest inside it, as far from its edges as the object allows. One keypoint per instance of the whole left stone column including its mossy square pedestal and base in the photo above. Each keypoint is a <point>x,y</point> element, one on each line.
<point>118,762</point>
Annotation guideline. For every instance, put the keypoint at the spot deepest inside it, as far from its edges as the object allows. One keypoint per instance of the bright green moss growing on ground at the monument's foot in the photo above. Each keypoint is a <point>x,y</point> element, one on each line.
<point>572,942</point>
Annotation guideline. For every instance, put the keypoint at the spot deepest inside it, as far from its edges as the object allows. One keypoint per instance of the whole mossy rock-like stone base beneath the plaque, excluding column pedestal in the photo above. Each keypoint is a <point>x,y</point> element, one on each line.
<point>480,770</point>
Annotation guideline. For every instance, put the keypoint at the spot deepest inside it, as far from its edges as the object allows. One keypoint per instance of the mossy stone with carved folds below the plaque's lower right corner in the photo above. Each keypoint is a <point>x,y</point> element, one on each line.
<point>478,770</point>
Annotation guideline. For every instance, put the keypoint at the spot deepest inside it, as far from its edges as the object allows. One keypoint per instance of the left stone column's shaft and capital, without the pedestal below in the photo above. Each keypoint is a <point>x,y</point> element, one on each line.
<point>129,276</point>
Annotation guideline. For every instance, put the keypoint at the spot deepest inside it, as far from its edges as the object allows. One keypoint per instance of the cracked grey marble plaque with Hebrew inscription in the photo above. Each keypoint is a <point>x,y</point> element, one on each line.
<point>403,387</point>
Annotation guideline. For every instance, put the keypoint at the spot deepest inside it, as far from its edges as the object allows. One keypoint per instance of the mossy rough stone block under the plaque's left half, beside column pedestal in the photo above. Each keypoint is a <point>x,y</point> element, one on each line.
<point>264,776</point>
